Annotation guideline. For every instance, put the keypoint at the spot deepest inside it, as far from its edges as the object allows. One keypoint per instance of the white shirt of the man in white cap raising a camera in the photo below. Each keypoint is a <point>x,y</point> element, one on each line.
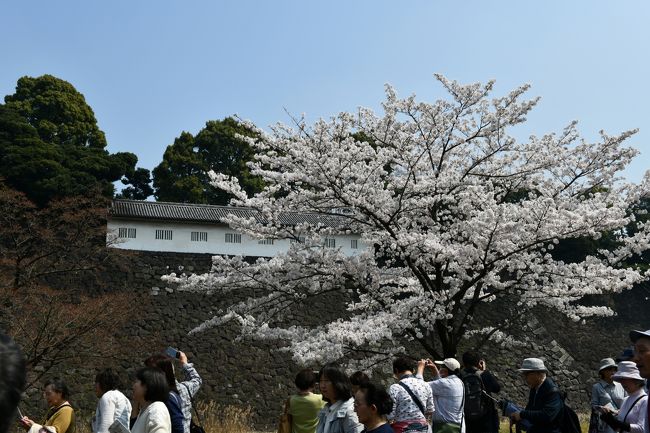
<point>448,400</point>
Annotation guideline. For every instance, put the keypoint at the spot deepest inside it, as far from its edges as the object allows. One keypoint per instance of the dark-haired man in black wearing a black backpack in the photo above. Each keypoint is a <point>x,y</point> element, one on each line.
<point>489,422</point>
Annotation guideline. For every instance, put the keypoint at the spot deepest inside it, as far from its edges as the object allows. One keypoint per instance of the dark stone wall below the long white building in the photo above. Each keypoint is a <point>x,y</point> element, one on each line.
<point>259,376</point>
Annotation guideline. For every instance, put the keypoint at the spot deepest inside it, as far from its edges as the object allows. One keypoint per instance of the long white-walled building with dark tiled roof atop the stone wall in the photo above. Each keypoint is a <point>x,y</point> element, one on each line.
<point>198,228</point>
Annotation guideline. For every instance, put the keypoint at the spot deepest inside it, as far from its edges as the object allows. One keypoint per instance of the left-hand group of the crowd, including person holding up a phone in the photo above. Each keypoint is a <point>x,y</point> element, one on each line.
<point>160,403</point>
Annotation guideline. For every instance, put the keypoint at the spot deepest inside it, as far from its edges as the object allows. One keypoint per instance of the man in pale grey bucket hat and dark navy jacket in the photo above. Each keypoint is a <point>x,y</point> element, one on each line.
<point>544,408</point>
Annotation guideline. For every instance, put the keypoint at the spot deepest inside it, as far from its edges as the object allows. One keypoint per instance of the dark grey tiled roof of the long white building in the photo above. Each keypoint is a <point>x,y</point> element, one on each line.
<point>150,210</point>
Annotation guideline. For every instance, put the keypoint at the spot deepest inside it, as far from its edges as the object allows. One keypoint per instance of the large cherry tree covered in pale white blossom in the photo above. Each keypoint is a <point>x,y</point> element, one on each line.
<point>454,212</point>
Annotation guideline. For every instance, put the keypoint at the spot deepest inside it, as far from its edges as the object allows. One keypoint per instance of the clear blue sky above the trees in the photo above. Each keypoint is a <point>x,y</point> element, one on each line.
<point>151,69</point>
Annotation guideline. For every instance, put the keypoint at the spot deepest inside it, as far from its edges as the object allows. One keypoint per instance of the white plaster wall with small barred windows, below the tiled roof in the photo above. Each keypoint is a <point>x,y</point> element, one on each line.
<point>145,239</point>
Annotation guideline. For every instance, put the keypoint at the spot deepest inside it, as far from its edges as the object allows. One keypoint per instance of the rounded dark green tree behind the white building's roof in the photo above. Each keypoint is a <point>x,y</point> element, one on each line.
<point>182,176</point>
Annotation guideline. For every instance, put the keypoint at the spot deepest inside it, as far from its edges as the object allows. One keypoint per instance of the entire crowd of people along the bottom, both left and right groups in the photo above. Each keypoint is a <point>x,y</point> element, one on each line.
<point>453,398</point>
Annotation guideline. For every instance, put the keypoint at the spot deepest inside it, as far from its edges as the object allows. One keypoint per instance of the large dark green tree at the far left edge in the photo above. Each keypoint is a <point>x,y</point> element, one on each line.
<point>51,146</point>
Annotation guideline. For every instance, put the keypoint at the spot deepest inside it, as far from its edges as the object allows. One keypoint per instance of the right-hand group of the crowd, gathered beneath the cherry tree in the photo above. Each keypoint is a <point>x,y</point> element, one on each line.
<point>464,398</point>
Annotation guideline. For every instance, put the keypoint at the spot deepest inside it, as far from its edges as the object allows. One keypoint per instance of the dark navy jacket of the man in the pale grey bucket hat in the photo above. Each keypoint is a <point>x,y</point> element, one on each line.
<point>544,409</point>
